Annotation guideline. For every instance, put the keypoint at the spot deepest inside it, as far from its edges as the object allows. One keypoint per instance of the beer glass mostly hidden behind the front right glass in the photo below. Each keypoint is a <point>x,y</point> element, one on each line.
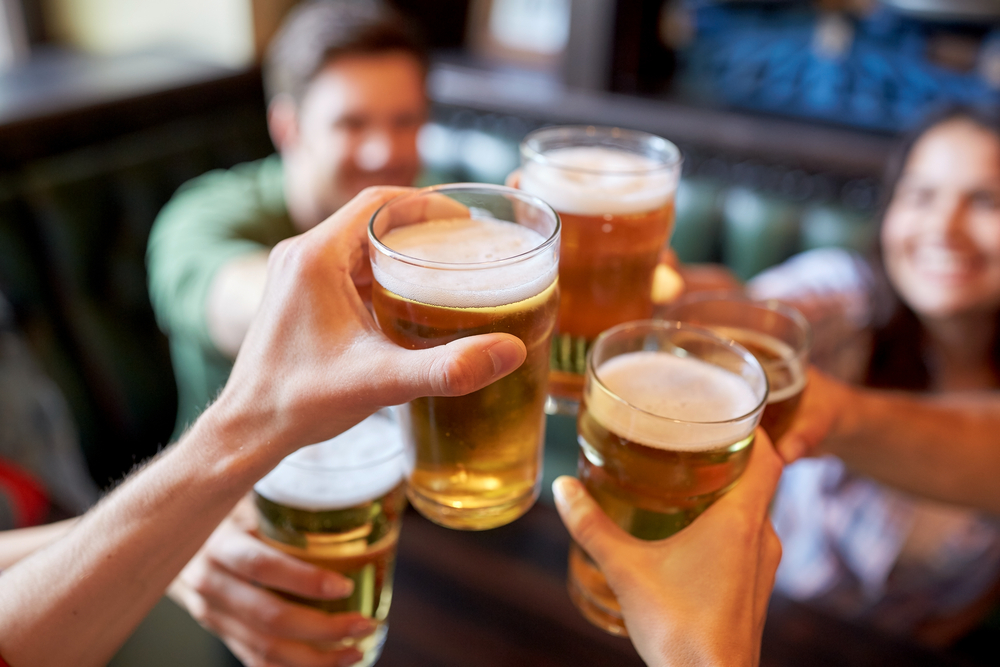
<point>777,334</point>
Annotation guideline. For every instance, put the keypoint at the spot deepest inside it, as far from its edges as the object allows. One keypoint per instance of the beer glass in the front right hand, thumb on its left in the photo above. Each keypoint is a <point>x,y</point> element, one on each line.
<point>665,428</point>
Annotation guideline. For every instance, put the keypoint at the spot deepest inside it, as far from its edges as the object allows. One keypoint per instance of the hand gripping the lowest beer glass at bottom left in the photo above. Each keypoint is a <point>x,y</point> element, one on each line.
<point>223,588</point>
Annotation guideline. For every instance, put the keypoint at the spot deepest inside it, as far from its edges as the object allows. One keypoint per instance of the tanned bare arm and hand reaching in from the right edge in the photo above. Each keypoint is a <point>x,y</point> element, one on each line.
<point>943,447</point>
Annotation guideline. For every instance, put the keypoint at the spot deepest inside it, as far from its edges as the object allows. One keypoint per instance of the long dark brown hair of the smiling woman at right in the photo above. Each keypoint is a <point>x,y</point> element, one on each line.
<point>898,359</point>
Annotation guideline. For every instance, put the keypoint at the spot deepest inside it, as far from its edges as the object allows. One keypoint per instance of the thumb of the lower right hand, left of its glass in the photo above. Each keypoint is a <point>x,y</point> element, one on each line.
<point>586,521</point>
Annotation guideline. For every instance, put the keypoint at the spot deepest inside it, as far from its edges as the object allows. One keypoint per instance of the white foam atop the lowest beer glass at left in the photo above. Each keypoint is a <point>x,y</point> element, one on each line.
<point>337,473</point>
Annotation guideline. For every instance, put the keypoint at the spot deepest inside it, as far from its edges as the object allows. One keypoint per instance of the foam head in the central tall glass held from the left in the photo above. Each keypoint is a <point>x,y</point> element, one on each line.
<point>462,241</point>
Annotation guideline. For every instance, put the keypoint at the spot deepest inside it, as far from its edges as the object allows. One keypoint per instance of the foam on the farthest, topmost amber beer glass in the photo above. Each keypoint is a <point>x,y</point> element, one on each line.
<point>610,181</point>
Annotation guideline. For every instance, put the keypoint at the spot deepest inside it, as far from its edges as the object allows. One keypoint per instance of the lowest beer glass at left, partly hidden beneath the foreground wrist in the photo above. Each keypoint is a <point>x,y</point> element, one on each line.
<point>338,505</point>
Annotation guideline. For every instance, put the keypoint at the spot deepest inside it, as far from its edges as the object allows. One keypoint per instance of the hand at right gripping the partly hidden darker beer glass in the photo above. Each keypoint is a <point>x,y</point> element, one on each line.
<point>825,404</point>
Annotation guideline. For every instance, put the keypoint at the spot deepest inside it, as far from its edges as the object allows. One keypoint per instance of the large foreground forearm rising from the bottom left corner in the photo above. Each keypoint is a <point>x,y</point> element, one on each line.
<point>102,578</point>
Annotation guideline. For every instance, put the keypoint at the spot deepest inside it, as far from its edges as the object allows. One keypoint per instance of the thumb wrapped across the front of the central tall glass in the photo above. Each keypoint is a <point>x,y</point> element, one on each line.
<point>464,365</point>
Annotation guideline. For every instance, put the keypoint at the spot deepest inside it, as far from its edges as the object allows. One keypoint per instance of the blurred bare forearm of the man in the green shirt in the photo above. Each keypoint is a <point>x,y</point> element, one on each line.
<point>233,299</point>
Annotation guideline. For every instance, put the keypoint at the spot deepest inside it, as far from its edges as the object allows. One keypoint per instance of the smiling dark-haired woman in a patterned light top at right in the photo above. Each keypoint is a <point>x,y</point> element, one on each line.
<point>932,300</point>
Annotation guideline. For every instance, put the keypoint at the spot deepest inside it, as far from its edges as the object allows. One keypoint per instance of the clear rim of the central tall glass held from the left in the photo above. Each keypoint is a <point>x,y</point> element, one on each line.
<point>484,188</point>
